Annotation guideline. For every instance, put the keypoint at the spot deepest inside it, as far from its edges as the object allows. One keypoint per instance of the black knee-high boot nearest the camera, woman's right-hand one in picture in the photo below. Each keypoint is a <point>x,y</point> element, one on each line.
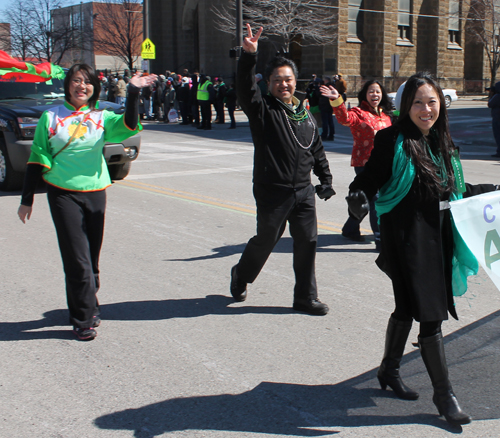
<point>432,350</point>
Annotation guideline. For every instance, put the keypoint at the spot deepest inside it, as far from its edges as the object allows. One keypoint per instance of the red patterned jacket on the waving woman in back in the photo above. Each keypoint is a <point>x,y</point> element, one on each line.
<point>364,123</point>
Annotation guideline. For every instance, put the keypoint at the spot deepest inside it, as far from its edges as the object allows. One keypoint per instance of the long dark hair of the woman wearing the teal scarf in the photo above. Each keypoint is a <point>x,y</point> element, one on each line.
<point>416,145</point>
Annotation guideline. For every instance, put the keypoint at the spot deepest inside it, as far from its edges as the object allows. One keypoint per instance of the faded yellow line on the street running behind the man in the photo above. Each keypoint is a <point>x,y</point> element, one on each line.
<point>215,202</point>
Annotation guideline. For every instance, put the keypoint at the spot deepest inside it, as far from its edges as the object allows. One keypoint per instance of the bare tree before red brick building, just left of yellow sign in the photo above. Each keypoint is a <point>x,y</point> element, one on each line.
<point>120,29</point>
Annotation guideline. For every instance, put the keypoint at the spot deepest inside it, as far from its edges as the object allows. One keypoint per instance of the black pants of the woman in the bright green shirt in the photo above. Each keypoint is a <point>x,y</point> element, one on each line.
<point>79,221</point>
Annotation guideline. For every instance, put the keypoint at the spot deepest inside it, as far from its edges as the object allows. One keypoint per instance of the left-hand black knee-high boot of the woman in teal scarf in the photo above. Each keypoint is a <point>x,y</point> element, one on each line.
<point>388,373</point>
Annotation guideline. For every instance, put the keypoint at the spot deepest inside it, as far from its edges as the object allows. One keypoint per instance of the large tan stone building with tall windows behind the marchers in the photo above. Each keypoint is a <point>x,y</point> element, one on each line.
<point>374,38</point>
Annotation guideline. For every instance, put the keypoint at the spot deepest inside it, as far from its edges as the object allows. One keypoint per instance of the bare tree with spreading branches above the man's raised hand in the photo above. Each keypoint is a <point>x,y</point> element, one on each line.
<point>303,22</point>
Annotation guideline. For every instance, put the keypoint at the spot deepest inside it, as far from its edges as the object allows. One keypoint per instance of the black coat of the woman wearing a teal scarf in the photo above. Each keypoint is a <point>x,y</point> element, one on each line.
<point>417,239</point>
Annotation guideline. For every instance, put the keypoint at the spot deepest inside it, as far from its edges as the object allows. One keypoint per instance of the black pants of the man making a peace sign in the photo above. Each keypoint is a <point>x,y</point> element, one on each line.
<point>276,206</point>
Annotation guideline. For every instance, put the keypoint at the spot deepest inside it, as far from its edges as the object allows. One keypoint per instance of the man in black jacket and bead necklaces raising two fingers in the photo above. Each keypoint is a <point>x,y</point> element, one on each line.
<point>287,148</point>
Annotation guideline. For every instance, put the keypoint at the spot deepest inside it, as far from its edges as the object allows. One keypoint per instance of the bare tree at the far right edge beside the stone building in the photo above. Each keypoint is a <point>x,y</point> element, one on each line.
<point>483,26</point>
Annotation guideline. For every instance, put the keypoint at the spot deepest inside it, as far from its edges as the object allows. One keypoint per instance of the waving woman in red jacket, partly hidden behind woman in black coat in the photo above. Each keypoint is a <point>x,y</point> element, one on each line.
<point>365,120</point>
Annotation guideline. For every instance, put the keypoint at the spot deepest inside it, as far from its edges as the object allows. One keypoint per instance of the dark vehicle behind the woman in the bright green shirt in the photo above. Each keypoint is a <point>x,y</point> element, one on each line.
<point>21,105</point>
